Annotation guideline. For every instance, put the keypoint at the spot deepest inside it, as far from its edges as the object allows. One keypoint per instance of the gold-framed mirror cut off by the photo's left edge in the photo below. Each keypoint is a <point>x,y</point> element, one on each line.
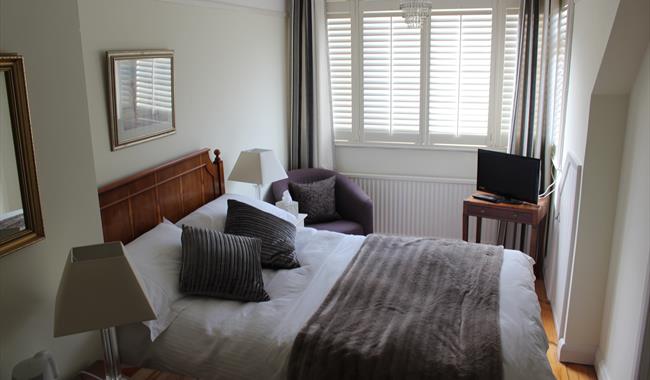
<point>21,222</point>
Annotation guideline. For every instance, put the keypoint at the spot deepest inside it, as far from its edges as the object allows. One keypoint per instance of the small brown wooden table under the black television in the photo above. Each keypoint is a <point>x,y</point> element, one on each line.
<point>526,213</point>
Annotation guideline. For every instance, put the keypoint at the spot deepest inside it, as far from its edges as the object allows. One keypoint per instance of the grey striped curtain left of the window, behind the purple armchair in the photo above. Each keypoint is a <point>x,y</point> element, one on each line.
<point>311,137</point>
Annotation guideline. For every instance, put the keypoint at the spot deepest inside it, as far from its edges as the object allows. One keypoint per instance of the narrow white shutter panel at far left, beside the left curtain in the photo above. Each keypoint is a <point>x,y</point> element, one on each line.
<point>339,35</point>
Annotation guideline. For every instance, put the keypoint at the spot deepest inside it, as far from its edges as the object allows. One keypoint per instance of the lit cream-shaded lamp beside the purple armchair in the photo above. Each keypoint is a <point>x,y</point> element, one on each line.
<point>259,167</point>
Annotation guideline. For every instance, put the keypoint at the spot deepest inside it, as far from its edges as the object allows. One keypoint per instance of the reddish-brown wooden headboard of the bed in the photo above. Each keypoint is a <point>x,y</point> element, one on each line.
<point>135,204</point>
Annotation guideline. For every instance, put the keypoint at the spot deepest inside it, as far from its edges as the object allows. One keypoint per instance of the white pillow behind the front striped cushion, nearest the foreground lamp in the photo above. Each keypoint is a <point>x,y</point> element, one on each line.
<point>156,256</point>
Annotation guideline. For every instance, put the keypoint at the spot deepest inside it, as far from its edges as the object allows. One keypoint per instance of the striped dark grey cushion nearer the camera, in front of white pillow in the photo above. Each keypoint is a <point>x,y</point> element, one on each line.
<point>221,265</point>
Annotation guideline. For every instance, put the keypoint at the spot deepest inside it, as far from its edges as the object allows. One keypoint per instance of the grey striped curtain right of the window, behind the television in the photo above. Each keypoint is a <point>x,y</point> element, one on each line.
<point>528,136</point>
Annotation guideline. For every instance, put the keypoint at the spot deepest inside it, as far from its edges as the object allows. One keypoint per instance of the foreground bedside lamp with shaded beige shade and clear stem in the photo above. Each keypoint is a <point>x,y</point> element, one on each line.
<point>100,290</point>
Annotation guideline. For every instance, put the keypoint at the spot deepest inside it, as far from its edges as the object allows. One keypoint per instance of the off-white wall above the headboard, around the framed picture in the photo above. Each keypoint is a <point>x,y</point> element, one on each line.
<point>231,88</point>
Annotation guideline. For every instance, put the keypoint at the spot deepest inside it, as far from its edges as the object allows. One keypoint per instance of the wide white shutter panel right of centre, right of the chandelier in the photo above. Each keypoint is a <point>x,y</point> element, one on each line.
<point>460,67</point>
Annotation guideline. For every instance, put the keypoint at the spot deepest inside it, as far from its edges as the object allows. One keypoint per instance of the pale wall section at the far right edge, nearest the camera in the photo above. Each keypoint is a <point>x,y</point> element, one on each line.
<point>629,272</point>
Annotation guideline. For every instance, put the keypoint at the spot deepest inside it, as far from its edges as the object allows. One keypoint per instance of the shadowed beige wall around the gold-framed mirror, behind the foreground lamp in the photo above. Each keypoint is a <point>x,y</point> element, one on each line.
<point>46,33</point>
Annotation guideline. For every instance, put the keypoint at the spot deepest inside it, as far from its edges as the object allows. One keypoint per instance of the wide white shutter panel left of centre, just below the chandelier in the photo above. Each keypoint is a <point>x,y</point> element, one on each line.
<point>391,79</point>
